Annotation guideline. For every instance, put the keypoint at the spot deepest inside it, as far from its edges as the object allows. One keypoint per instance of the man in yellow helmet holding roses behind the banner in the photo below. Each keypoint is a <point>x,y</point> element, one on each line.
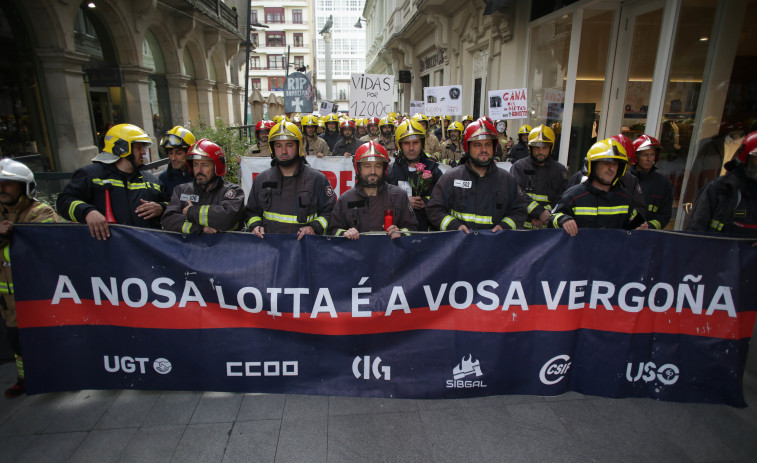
<point>409,169</point>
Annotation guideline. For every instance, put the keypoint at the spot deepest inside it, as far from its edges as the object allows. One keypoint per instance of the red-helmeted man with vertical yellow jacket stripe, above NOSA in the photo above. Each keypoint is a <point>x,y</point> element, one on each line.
<point>209,204</point>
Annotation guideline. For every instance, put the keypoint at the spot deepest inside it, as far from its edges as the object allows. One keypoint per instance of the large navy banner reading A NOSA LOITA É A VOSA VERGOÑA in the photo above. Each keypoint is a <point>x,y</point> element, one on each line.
<point>441,315</point>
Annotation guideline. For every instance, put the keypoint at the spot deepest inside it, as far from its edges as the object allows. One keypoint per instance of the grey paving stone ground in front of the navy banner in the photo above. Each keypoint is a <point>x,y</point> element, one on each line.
<point>145,426</point>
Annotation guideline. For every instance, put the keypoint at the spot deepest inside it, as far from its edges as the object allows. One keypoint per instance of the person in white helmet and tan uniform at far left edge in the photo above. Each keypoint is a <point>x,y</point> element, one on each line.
<point>17,205</point>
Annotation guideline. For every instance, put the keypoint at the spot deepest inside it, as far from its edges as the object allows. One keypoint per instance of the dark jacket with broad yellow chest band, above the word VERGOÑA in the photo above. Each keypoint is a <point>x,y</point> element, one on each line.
<point>591,207</point>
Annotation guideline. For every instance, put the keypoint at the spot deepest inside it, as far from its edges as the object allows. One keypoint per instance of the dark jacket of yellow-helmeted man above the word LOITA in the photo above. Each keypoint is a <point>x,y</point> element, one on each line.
<point>285,204</point>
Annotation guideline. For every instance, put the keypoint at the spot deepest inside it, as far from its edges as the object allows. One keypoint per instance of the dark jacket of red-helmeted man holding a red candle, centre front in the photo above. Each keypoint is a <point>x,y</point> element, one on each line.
<point>355,209</point>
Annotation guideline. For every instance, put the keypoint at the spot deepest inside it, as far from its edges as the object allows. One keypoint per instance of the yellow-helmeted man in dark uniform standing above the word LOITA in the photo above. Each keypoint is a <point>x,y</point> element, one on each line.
<point>290,197</point>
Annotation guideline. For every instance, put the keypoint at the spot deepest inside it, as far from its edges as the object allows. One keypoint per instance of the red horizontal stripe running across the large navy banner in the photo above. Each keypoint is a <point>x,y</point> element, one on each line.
<point>538,318</point>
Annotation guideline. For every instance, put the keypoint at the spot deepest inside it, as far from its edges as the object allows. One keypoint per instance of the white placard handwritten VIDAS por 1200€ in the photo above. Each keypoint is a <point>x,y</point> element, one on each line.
<point>371,95</point>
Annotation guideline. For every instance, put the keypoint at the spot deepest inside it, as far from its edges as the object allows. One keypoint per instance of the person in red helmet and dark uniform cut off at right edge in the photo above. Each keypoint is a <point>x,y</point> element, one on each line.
<point>728,204</point>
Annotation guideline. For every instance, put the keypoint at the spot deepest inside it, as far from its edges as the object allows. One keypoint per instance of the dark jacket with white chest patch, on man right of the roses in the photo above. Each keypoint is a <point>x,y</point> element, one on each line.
<point>462,197</point>
